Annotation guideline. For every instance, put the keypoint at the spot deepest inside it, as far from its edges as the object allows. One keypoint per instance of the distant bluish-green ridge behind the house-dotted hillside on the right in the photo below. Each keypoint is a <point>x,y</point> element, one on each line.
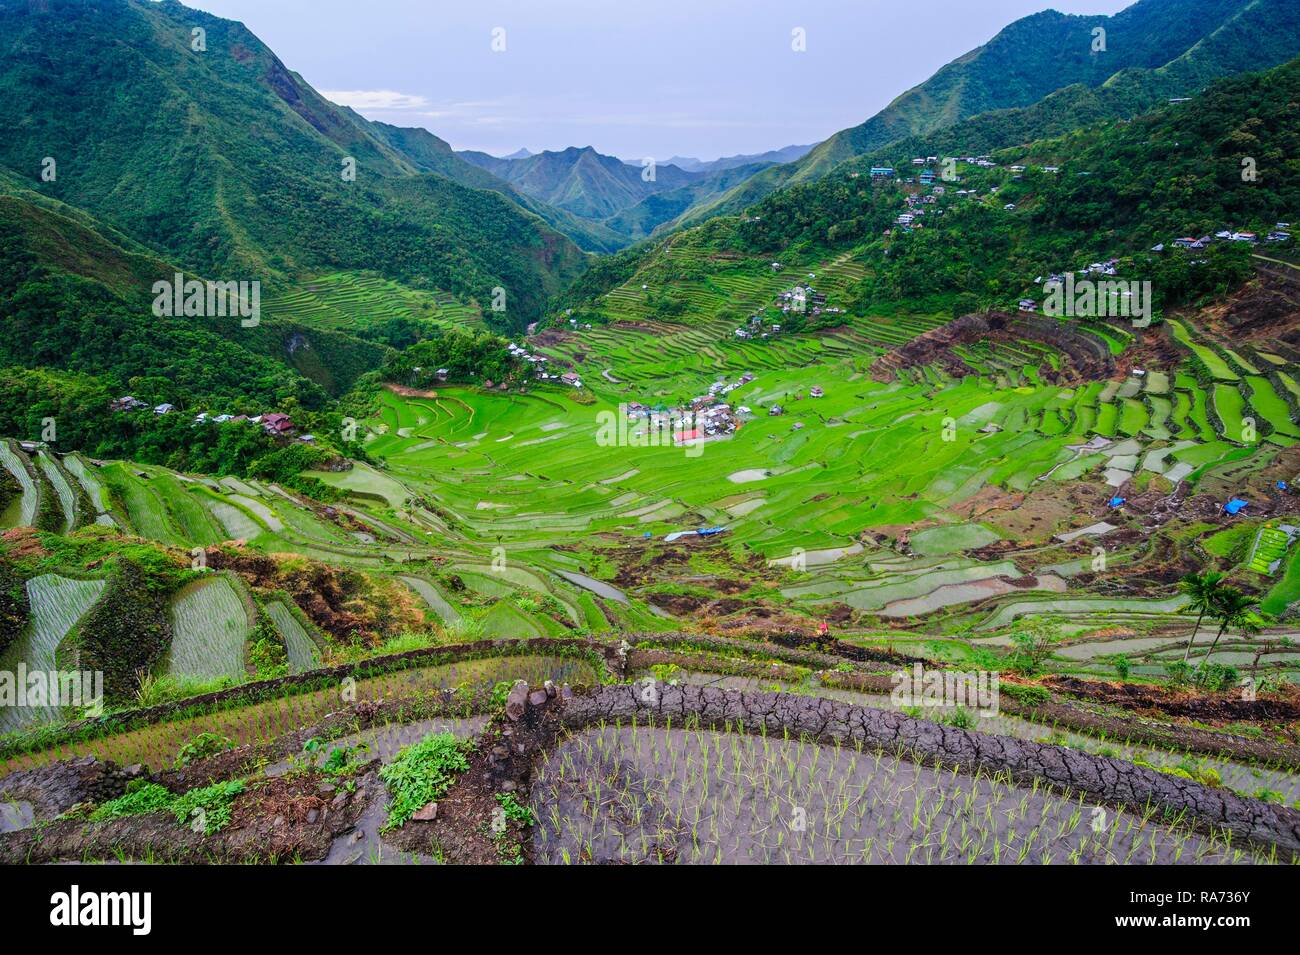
<point>1194,42</point>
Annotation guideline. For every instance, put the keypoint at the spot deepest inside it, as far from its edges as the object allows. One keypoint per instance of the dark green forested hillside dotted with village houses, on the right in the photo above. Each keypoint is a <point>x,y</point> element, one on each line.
<point>1112,190</point>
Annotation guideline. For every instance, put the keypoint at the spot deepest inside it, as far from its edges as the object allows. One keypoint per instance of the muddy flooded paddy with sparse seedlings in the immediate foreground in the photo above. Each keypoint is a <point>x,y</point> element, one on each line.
<point>627,795</point>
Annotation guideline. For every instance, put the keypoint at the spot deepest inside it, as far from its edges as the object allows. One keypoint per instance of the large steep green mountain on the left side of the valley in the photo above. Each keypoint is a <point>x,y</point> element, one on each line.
<point>228,164</point>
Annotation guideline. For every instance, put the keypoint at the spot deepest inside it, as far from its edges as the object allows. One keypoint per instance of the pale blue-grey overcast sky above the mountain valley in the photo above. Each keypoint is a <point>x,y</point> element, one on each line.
<point>699,79</point>
